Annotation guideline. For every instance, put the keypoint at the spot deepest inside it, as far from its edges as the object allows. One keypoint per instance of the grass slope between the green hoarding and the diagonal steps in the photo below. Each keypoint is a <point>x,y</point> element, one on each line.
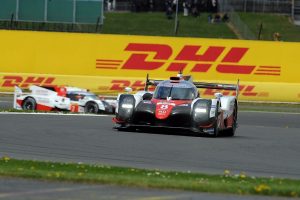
<point>157,24</point>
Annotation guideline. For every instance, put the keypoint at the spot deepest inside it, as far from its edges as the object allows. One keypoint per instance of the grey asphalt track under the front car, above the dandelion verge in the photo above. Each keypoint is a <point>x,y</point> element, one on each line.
<point>266,144</point>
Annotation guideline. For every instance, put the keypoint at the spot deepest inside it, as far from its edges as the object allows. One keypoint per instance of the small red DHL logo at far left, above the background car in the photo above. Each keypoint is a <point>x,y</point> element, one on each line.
<point>12,81</point>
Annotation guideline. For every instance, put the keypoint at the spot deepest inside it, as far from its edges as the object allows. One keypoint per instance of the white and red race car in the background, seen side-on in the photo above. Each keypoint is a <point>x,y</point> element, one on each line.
<point>60,99</point>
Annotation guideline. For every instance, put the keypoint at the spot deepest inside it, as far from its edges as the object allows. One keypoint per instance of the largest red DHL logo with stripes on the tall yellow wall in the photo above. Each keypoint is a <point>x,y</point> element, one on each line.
<point>139,60</point>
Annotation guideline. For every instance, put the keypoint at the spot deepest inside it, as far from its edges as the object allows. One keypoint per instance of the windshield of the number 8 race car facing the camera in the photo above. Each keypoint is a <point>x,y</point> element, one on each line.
<point>176,93</point>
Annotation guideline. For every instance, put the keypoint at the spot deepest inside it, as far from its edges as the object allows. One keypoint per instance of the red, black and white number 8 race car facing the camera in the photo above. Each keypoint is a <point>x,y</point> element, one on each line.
<point>176,103</point>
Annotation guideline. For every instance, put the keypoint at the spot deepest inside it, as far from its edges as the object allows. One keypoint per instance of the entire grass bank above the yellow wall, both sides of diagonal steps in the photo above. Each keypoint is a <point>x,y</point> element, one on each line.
<point>157,24</point>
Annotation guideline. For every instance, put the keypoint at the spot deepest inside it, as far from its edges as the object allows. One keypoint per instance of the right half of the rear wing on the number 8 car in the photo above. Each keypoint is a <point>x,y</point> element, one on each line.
<point>219,86</point>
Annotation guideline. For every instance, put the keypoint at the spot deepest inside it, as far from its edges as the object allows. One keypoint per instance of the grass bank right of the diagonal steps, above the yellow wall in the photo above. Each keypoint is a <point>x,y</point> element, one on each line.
<point>272,23</point>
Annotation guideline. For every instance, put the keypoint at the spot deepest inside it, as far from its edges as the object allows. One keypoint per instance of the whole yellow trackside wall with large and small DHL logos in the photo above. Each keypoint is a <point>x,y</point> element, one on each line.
<point>268,71</point>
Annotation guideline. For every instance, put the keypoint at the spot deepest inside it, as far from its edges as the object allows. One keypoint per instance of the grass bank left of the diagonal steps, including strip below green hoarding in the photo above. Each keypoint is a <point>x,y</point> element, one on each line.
<point>154,24</point>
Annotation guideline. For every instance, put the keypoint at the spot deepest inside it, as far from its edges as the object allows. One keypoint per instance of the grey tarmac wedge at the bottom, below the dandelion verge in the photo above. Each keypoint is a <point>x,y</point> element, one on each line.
<point>22,189</point>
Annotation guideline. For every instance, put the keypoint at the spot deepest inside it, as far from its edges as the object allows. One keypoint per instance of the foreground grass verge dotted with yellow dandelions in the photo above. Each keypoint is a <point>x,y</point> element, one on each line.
<point>100,174</point>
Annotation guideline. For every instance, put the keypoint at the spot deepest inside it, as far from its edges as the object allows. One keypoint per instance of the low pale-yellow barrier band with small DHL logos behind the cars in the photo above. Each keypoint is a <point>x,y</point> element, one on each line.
<point>111,86</point>
